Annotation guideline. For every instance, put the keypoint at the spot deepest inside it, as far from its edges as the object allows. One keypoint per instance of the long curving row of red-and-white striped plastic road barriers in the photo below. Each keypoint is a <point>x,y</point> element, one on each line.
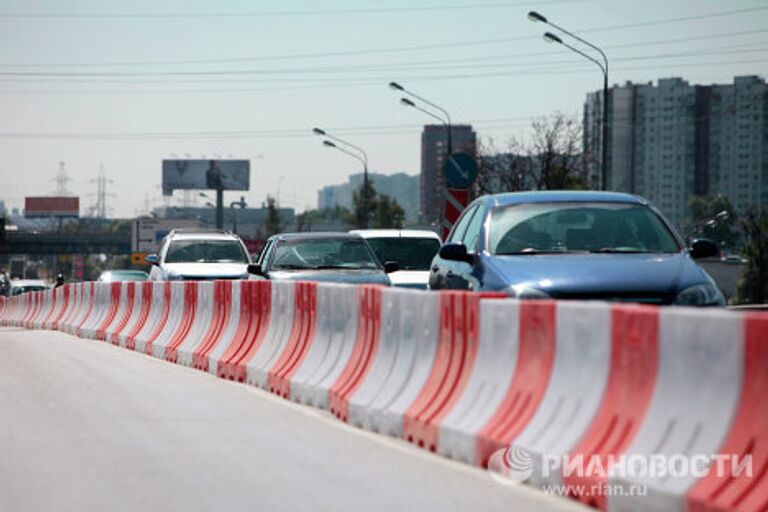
<point>519,386</point>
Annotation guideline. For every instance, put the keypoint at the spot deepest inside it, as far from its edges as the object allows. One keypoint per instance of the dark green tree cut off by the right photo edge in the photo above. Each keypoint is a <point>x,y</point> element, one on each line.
<point>753,286</point>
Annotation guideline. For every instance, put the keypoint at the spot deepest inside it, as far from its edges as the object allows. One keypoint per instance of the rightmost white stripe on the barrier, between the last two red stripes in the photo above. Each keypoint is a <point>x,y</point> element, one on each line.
<point>700,367</point>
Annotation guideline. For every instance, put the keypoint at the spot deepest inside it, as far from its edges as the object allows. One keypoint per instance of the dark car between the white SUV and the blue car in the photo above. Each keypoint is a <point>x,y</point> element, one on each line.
<point>336,257</point>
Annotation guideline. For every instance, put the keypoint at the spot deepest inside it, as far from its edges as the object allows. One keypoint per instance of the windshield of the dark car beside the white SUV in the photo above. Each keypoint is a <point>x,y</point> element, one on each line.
<point>321,253</point>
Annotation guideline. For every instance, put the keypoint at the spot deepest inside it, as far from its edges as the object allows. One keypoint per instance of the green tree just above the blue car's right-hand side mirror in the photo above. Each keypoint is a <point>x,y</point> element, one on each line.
<point>708,222</point>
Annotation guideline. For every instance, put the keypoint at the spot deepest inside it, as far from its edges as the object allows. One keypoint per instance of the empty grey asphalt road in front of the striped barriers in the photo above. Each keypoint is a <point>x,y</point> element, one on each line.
<point>87,426</point>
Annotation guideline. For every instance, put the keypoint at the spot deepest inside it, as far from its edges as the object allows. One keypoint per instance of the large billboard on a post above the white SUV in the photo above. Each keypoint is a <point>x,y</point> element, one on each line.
<point>206,175</point>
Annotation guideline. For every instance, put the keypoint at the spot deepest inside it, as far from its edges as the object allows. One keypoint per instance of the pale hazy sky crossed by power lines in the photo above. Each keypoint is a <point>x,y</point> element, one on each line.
<point>120,86</point>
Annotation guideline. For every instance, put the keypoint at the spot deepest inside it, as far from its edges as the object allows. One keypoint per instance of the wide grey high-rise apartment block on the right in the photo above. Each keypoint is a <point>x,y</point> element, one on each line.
<point>670,141</point>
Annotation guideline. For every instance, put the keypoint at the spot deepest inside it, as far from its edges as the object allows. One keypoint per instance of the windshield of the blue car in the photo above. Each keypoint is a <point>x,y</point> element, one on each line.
<point>599,227</point>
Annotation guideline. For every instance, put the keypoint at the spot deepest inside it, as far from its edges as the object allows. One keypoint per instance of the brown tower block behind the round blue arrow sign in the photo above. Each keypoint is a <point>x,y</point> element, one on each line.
<point>434,149</point>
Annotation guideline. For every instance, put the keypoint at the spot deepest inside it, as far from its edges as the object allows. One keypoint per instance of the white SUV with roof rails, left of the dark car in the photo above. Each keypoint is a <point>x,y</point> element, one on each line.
<point>198,254</point>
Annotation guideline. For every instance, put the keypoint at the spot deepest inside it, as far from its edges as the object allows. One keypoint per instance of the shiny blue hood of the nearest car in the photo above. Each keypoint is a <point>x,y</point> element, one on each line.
<point>562,274</point>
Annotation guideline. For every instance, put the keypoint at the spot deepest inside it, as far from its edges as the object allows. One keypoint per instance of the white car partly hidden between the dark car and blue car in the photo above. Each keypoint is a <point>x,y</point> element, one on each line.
<point>412,249</point>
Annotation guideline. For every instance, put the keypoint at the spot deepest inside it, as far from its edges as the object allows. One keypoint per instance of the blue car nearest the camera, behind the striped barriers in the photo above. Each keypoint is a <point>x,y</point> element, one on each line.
<point>574,245</point>
